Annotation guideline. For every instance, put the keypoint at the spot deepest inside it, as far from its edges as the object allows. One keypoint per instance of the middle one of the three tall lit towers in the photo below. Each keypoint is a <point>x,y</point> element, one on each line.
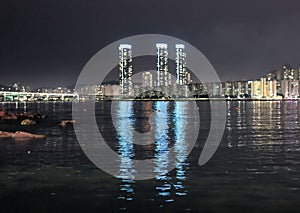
<point>162,65</point>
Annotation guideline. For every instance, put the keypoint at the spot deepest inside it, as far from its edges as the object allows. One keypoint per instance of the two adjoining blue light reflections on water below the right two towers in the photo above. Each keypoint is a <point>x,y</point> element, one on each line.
<point>175,117</point>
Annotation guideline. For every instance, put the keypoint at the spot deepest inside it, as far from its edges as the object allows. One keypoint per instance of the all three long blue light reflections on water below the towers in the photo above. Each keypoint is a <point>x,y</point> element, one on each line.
<point>159,117</point>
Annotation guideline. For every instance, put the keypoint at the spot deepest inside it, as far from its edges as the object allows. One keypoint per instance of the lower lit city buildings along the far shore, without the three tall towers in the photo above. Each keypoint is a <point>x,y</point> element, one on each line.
<point>288,77</point>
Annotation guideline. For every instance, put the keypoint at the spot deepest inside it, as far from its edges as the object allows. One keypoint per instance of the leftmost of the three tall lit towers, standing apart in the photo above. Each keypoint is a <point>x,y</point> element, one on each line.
<point>125,69</point>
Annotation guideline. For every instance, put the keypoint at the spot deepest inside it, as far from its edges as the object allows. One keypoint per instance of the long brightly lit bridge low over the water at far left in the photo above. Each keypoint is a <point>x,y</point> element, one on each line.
<point>36,96</point>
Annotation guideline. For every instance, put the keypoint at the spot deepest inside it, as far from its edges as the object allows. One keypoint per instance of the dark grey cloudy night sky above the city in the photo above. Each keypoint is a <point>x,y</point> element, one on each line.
<point>48,42</point>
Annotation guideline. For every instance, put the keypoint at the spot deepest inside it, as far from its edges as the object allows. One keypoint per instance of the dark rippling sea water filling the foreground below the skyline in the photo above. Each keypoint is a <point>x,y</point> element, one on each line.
<point>256,167</point>
